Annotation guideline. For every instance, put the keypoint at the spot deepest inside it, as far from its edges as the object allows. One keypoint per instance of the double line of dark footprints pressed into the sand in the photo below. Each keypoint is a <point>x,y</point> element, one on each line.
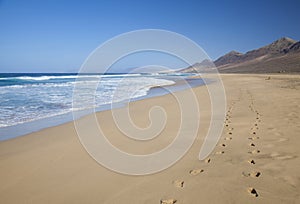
<point>254,174</point>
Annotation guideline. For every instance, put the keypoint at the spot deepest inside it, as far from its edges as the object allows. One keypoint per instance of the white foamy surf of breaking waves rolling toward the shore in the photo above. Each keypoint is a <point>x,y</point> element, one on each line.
<point>21,103</point>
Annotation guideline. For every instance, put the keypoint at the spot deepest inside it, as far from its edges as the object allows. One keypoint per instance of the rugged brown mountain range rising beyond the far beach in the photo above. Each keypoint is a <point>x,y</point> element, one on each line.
<point>283,55</point>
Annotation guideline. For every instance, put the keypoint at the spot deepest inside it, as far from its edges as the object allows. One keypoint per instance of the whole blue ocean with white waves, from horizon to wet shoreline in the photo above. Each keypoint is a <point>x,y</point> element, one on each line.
<point>33,101</point>
